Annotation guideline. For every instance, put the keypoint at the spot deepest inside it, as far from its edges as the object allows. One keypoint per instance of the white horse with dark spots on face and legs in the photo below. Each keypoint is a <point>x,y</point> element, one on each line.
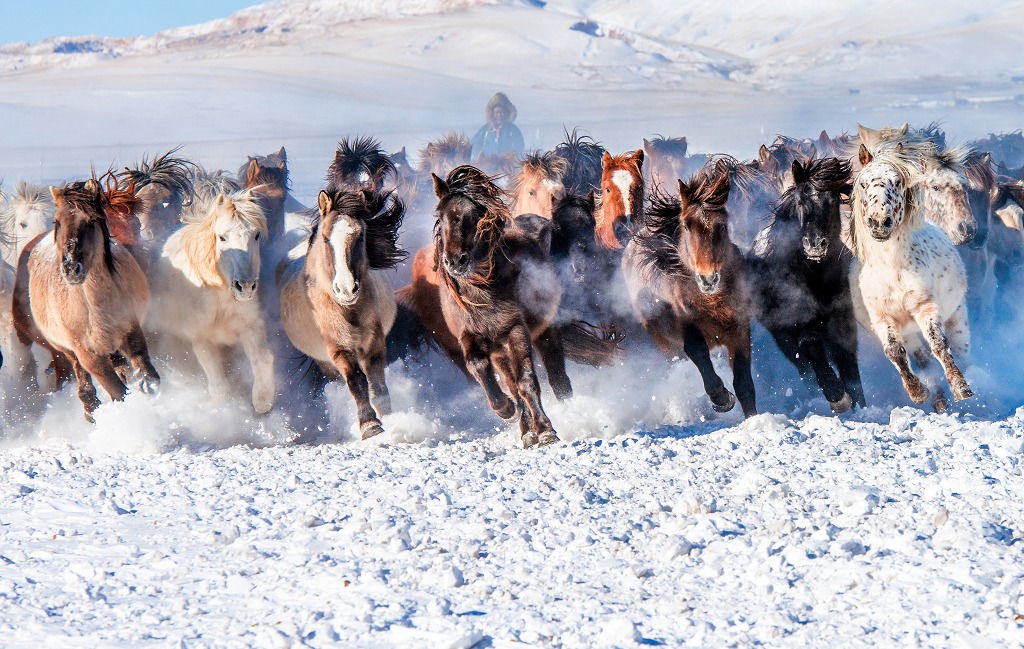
<point>908,279</point>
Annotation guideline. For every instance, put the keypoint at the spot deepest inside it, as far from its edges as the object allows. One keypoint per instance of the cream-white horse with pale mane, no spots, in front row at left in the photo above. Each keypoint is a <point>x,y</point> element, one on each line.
<point>205,287</point>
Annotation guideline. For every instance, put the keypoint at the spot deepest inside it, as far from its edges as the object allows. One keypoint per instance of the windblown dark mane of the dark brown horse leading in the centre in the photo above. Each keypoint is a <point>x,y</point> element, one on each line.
<point>473,185</point>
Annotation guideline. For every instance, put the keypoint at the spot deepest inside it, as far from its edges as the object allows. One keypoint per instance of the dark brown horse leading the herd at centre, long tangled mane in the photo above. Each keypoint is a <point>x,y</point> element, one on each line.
<point>499,295</point>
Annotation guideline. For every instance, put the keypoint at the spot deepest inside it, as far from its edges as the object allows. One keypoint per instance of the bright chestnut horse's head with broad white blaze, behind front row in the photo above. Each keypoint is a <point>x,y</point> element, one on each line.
<point>622,198</point>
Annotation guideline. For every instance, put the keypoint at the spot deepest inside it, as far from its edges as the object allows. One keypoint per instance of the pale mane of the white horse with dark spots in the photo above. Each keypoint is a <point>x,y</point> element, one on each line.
<point>905,160</point>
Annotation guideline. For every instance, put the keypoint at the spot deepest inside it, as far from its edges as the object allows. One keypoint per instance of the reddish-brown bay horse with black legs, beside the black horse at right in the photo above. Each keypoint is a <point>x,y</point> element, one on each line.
<point>687,284</point>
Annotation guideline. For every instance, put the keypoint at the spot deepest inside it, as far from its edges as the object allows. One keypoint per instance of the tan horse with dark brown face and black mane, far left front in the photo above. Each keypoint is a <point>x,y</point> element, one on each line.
<point>89,297</point>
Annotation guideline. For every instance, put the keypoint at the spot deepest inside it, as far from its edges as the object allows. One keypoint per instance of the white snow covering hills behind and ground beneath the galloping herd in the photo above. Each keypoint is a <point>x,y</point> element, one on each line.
<point>655,523</point>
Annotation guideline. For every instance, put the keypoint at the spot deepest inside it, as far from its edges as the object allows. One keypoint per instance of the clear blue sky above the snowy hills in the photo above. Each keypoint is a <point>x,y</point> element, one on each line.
<point>34,21</point>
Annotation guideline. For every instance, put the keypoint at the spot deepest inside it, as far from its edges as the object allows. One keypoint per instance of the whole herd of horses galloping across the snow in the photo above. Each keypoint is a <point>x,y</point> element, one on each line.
<point>574,253</point>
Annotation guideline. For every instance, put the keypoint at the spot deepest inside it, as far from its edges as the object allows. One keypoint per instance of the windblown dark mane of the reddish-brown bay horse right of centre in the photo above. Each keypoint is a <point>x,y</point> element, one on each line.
<point>658,241</point>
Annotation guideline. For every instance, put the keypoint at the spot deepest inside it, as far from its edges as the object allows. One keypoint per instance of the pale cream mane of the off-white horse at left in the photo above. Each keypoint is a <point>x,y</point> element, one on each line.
<point>198,238</point>
